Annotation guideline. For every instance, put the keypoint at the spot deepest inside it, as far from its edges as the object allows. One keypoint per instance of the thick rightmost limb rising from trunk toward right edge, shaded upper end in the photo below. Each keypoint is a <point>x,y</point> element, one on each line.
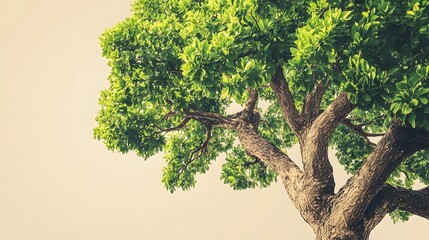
<point>398,143</point>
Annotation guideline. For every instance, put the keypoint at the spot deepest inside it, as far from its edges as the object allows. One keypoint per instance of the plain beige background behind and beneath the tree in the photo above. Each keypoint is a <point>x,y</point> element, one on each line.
<point>57,183</point>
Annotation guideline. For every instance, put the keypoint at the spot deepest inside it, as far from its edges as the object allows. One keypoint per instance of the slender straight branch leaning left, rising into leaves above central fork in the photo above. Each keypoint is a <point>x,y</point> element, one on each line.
<point>287,104</point>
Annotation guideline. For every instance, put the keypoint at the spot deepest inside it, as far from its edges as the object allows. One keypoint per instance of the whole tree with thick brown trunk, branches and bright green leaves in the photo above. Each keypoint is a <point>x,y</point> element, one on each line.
<point>321,74</point>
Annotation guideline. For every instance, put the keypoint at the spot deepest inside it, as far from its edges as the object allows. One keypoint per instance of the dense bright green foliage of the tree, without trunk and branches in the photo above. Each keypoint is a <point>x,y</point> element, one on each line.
<point>178,56</point>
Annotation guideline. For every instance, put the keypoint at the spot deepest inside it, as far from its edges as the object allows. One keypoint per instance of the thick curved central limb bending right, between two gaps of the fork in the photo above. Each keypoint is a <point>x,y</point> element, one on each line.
<point>314,149</point>
